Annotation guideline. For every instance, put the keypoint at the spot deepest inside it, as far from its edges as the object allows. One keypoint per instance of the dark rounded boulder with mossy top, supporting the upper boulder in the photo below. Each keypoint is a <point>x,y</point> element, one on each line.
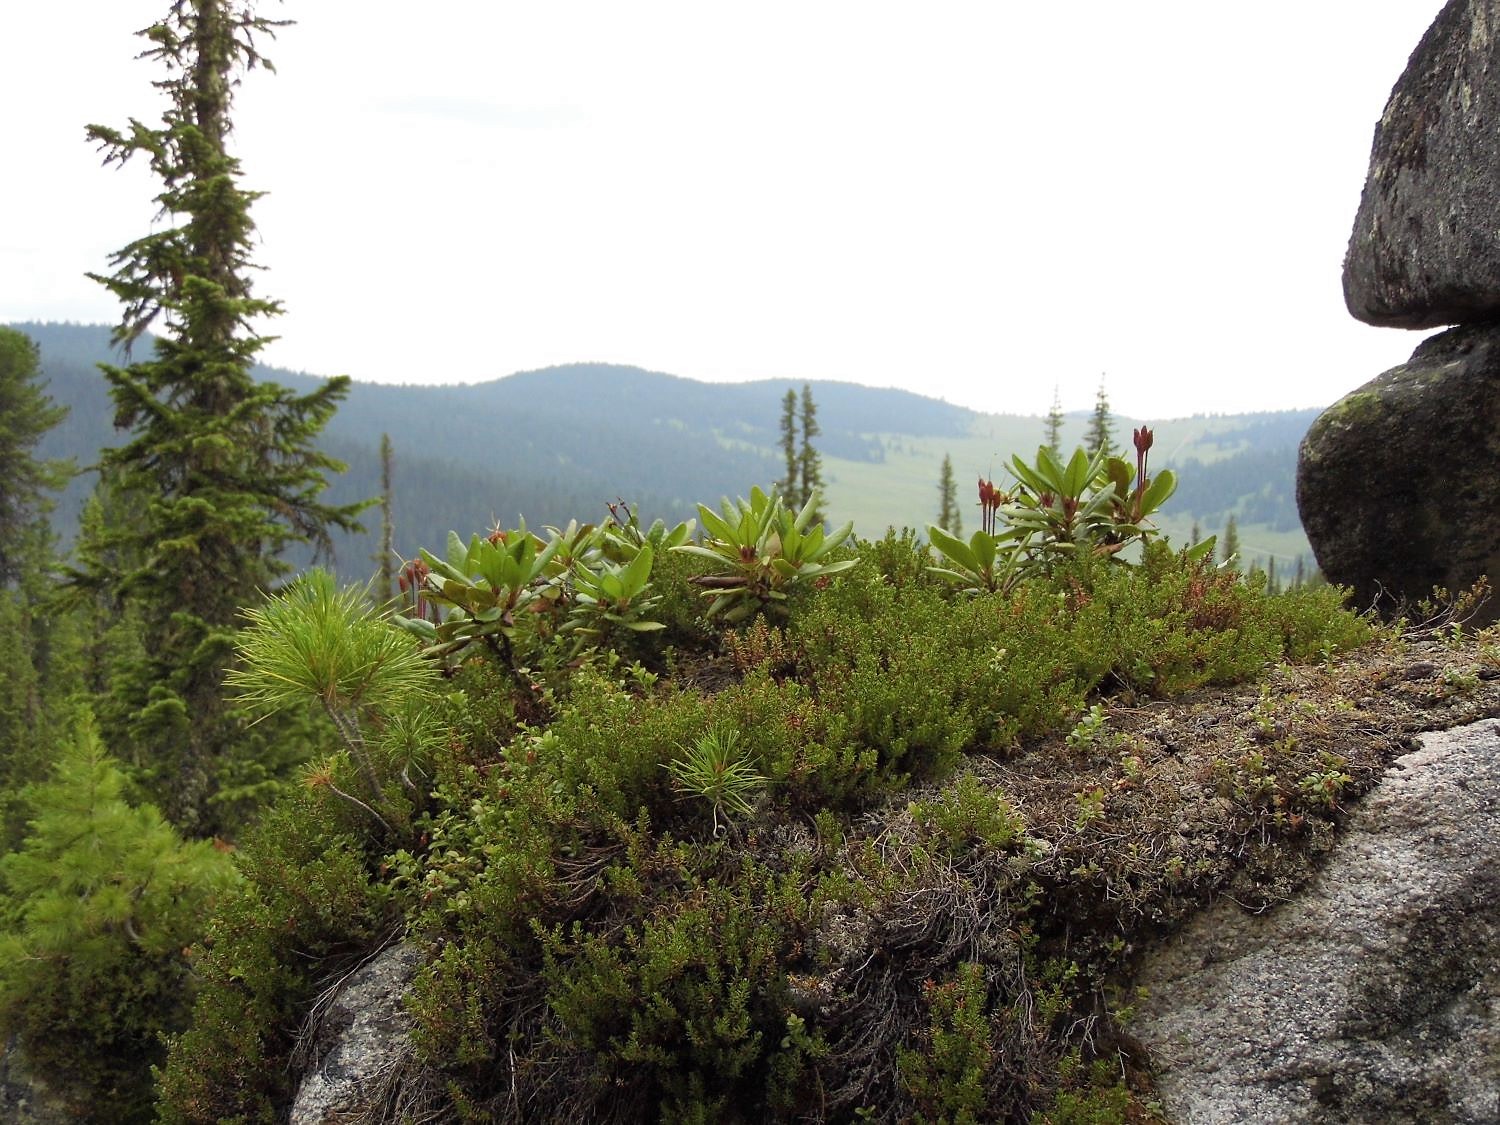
<point>1399,482</point>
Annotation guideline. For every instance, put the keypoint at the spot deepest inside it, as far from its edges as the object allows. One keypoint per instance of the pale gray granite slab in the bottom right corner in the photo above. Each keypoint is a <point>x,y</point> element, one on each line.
<point>1375,997</point>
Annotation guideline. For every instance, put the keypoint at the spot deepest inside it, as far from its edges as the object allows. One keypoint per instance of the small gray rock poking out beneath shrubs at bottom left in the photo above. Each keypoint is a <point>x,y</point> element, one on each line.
<point>361,1046</point>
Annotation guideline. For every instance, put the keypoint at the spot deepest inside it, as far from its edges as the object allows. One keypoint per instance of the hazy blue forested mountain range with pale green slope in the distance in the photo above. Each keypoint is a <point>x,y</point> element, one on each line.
<point>559,443</point>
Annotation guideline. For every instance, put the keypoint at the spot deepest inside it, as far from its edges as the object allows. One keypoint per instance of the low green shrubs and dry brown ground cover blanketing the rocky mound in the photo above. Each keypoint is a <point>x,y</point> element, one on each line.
<point>953,823</point>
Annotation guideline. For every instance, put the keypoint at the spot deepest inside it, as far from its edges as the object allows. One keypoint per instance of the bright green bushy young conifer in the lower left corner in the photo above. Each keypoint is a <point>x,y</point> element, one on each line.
<point>100,904</point>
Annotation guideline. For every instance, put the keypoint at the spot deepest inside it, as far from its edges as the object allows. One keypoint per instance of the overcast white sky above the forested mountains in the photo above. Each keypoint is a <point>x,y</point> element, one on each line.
<point>973,200</point>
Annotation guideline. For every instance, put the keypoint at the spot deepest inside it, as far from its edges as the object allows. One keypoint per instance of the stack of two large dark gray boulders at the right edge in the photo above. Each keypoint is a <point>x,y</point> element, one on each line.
<point>1399,482</point>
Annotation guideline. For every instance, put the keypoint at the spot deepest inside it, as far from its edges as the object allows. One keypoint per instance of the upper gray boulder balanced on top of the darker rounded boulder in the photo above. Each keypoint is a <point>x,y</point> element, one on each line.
<point>1426,250</point>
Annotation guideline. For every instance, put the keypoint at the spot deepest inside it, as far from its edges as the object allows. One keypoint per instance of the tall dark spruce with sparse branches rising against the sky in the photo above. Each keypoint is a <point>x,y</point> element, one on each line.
<point>229,466</point>
